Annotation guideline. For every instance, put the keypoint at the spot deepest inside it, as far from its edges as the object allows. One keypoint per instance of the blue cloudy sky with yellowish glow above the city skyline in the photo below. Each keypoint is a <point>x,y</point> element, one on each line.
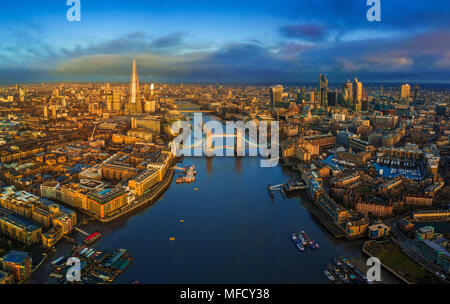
<point>228,41</point>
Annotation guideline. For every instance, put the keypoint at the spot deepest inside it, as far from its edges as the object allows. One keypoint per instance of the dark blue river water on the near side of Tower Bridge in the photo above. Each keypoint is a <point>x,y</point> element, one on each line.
<point>233,231</point>
